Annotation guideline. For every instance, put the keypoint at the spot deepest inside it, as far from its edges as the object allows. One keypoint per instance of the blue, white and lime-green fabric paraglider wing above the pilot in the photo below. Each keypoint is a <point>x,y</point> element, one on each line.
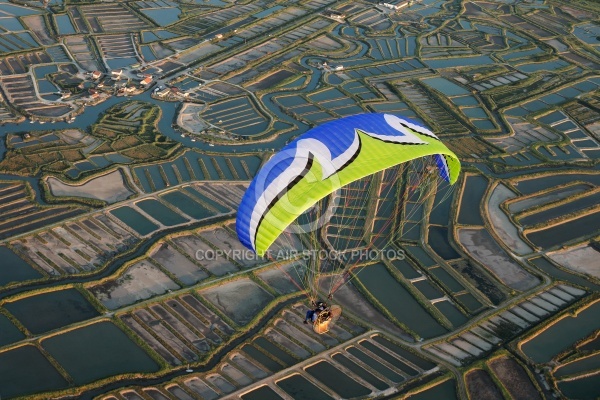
<point>326,158</point>
